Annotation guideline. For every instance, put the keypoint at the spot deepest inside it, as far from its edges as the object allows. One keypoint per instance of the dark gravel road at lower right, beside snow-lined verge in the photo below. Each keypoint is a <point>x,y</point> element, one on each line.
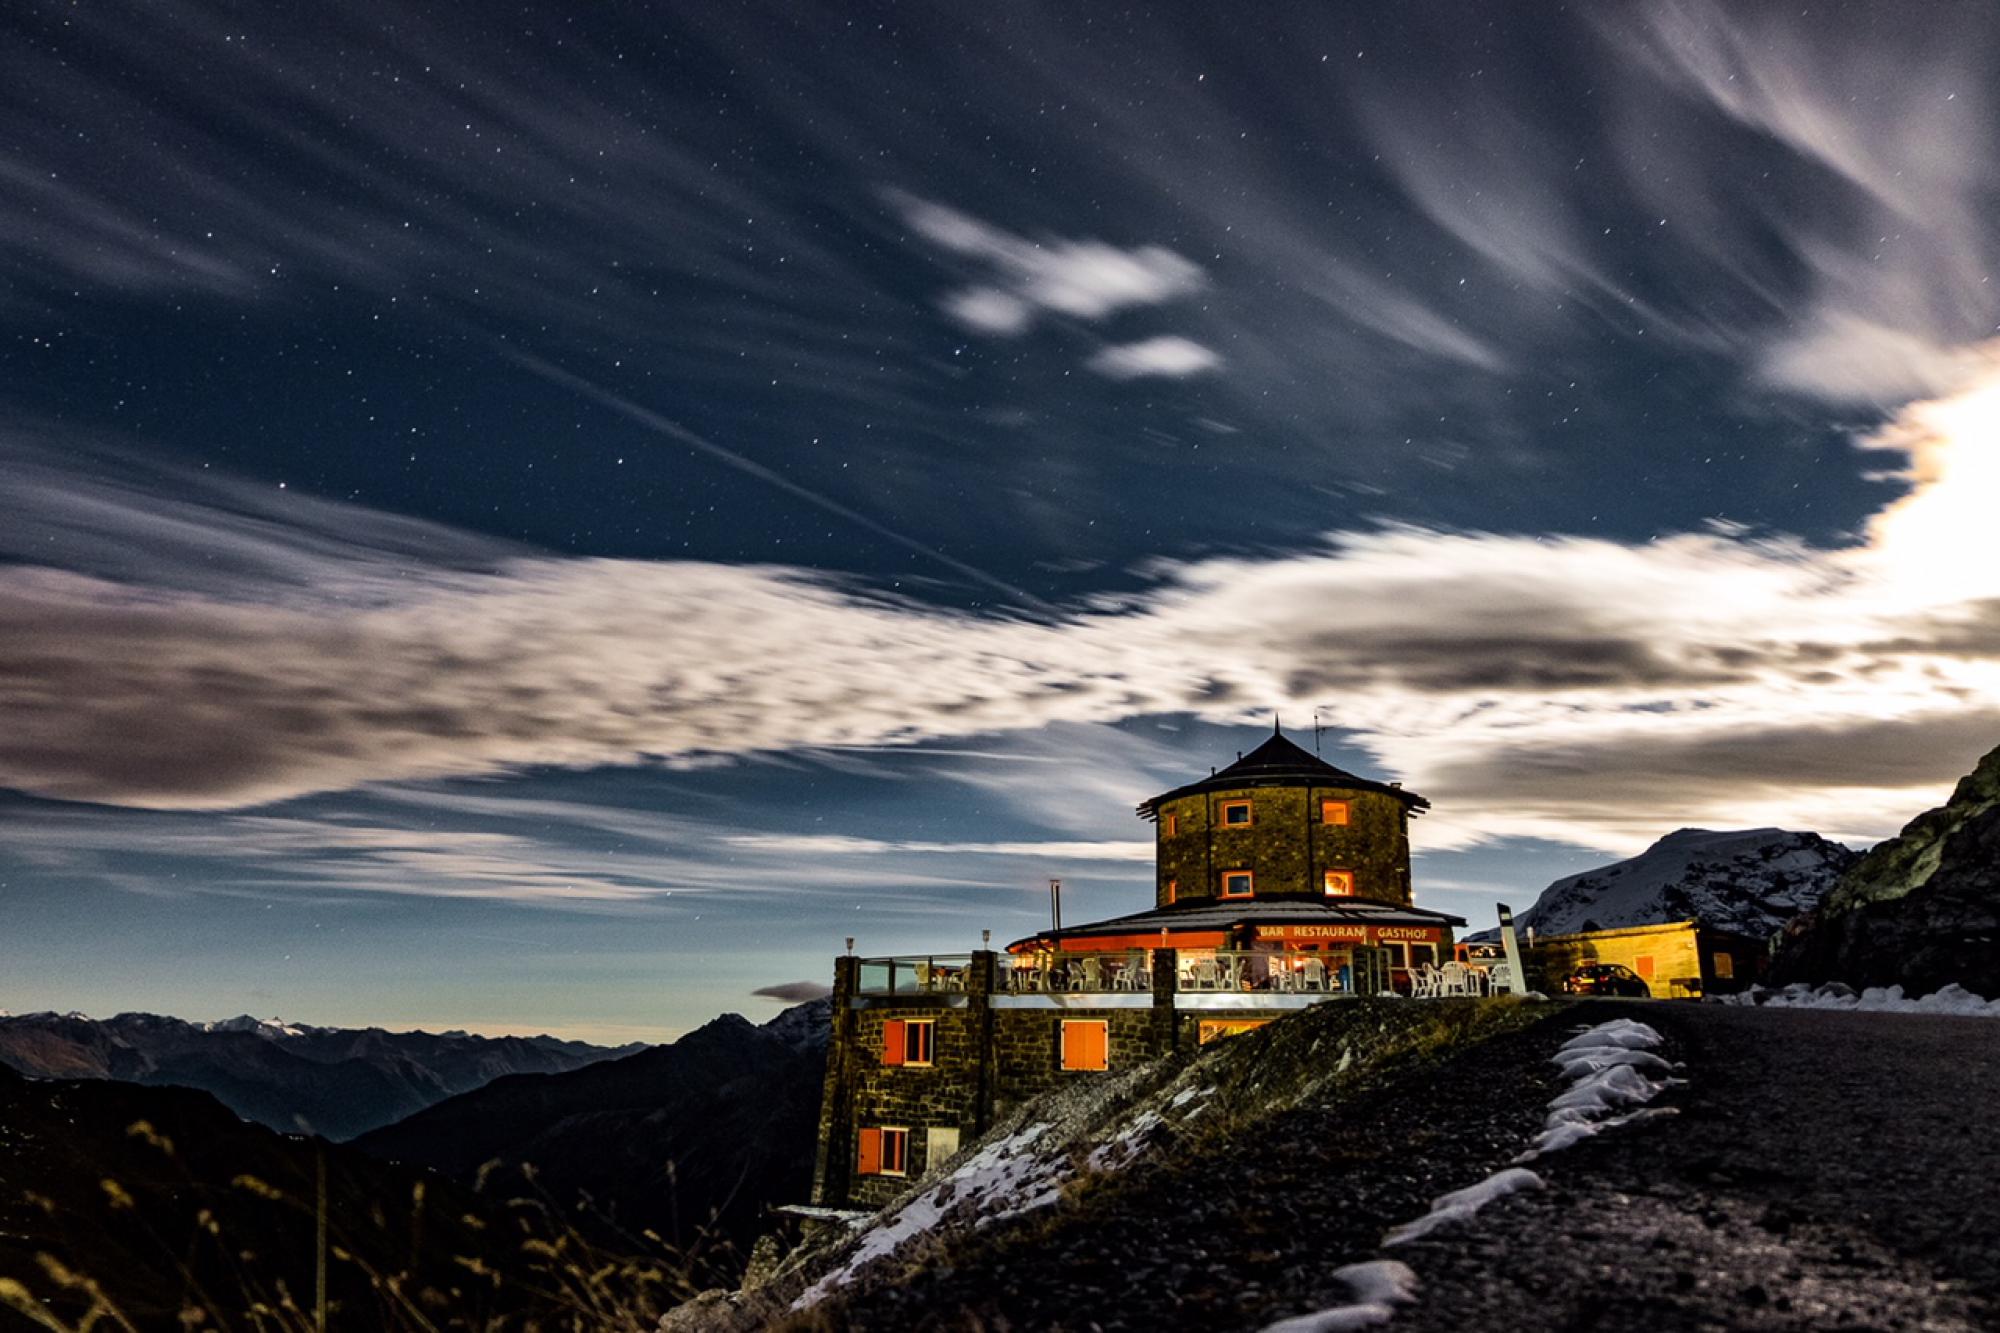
<point>1825,1172</point>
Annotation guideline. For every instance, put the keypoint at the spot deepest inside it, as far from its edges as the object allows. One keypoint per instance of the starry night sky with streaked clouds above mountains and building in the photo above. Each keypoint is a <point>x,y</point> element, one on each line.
<point>553,517</point>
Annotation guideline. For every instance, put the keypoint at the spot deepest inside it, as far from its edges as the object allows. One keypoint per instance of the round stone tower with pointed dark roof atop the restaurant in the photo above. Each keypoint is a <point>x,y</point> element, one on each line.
<point>1283,824</point>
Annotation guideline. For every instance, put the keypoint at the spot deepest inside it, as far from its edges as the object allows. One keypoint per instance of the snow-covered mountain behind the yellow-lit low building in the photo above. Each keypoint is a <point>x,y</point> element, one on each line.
<point>1749,882</point>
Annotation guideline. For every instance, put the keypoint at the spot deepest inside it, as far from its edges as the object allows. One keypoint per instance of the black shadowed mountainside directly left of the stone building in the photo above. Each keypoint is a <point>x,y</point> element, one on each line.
<point>691,1140</point>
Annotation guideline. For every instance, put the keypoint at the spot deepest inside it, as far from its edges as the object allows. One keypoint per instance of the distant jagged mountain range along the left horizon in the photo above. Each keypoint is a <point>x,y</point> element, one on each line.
<point>323,1080</point>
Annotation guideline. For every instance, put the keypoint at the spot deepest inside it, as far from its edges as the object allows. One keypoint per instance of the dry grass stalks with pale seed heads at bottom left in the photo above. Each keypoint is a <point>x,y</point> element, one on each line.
<point>417,1266</point>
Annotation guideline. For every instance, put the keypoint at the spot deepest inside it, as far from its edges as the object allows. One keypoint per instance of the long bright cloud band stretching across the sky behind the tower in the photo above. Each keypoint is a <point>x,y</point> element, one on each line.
<point>1449,655</point>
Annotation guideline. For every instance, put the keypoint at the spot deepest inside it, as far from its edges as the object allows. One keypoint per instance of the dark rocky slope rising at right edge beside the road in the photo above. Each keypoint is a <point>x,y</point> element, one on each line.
<point>1921,910</point>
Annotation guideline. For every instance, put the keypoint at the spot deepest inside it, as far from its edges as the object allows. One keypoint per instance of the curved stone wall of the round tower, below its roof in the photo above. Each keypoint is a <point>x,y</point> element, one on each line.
<point>1285,848</point>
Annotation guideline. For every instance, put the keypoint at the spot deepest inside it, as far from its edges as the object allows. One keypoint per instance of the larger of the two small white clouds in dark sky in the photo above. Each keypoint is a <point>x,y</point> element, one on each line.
<point>1081,279</point>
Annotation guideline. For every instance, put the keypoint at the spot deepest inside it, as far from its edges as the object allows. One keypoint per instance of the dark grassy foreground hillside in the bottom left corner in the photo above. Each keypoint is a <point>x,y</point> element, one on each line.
<point>163,1206</point>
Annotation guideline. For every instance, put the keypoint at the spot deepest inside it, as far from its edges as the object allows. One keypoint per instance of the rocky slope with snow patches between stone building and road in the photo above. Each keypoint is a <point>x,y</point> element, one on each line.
<point>1217,1190</point>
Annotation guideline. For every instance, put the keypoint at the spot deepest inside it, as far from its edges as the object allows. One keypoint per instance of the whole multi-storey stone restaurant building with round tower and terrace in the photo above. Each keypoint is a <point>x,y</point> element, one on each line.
<point>1281,882</point>
